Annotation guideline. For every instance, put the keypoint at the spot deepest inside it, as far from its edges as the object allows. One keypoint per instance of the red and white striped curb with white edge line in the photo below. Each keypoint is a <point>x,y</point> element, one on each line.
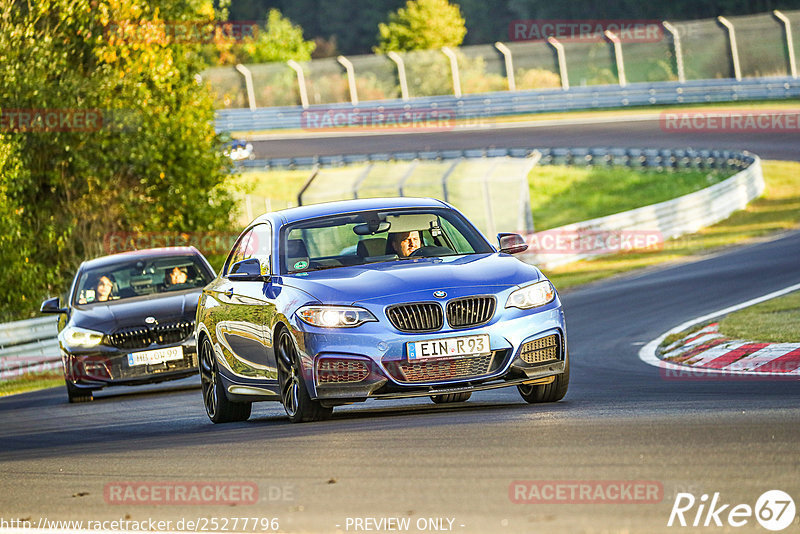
<point>710,352</point>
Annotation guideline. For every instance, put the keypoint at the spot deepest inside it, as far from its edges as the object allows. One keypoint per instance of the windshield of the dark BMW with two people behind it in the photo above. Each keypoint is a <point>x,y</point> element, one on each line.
<point>135,278</point>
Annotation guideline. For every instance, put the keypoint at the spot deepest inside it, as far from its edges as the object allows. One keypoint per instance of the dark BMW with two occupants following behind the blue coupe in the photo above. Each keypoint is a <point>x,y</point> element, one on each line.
<point>129,319</point>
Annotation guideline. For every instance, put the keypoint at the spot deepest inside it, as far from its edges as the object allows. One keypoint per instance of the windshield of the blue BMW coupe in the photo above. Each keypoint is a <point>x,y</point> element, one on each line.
<point>376,236</point>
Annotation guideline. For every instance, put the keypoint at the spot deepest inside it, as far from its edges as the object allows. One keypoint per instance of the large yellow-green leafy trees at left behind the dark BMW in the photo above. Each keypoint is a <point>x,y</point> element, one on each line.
<point>153,163</point>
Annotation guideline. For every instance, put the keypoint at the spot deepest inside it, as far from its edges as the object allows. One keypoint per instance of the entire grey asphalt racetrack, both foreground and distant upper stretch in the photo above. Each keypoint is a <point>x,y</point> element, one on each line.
<point>621,420</point>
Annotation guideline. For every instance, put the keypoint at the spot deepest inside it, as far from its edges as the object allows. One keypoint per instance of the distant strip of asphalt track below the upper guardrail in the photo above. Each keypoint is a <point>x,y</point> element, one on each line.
<point>782,145</point>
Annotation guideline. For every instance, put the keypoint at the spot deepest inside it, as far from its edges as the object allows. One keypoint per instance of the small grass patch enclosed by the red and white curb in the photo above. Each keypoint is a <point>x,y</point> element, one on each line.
<point>776,321</point>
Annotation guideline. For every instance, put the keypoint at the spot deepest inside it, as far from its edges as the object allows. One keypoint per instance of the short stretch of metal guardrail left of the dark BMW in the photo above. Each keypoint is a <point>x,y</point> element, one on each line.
<point>29,346</point>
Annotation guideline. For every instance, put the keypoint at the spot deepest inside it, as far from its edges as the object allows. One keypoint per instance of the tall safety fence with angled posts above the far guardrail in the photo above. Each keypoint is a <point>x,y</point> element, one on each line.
<point>754,46</point>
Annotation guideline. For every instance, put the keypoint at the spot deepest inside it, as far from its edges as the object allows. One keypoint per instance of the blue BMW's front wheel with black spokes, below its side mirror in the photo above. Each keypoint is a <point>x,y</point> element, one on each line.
<point>299,405</point>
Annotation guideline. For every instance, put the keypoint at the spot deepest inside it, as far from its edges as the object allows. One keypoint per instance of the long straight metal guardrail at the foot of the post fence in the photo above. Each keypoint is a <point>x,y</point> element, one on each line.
<point>477,106</point>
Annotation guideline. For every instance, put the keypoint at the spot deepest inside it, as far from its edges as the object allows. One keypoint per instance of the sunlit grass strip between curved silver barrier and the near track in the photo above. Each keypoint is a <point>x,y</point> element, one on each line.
<point>777,210</point>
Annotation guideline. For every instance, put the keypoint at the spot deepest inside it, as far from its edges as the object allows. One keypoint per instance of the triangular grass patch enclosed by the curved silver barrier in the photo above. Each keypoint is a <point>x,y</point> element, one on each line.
<point>562,194</point>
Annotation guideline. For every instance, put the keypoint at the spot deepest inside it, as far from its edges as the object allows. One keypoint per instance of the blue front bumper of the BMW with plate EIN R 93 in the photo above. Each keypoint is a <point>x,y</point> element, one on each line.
<point>384,370</point>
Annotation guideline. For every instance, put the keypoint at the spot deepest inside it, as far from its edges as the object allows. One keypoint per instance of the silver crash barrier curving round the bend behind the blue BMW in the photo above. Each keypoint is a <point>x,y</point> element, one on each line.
<point>667,219</point>
